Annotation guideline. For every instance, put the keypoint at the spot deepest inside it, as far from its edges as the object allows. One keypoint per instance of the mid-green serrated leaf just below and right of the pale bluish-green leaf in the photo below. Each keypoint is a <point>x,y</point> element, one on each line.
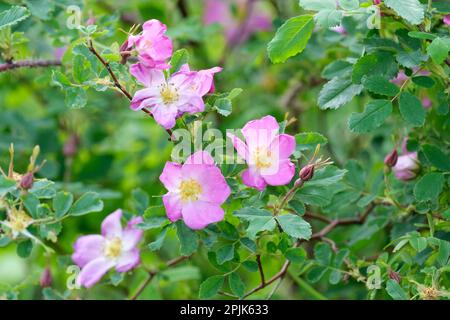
<point>374,115</point>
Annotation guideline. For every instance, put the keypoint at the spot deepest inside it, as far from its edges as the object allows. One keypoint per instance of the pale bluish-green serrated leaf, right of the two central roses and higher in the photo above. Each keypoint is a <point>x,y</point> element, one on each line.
<point>337,93</point>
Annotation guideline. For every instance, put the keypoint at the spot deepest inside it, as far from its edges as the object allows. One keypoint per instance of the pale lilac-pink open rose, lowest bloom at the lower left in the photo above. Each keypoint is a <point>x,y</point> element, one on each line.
<point>115,247</point>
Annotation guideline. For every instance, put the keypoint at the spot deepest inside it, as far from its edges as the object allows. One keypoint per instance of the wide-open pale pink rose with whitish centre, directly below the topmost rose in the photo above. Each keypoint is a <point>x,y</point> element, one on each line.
<point>168,99</point>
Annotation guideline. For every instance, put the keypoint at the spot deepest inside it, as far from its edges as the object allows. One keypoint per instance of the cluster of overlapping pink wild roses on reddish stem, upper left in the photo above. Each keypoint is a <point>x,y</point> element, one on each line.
<point>167,97</point>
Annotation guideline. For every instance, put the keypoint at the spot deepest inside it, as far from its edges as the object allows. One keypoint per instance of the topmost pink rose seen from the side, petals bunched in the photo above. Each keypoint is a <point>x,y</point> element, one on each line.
<point>153,46</point>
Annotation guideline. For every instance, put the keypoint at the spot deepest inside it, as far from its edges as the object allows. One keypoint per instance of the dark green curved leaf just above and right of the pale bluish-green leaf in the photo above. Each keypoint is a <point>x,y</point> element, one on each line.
<point>375,64</point>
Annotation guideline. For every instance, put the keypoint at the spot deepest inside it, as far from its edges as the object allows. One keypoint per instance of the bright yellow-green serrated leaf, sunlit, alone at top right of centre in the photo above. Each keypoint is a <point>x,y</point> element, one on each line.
<point>291,38</point>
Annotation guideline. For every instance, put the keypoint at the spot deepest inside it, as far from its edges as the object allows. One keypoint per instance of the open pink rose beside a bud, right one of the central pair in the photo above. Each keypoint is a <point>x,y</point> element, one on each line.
<point>266,153</point>
